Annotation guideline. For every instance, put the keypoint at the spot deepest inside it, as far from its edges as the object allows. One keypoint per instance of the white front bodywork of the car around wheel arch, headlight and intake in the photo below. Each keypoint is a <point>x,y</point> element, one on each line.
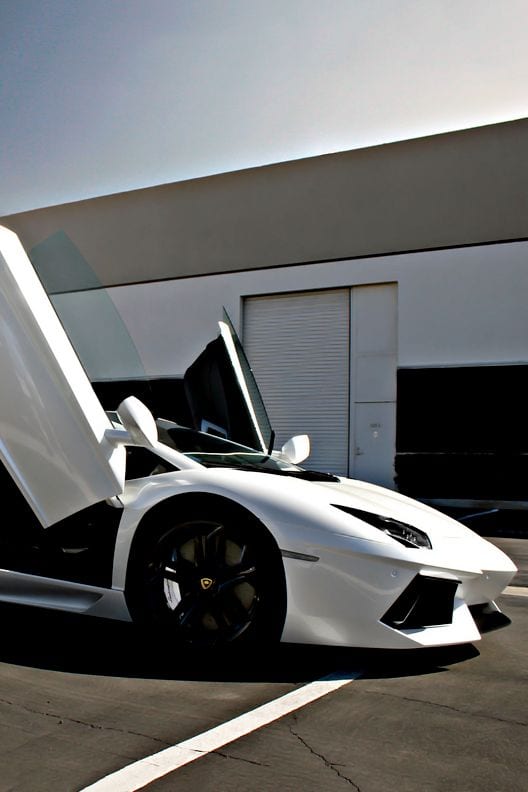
<point>340,598</point>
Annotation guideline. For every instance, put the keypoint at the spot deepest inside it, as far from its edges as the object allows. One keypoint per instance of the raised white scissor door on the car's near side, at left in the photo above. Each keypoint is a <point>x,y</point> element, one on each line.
<point>52,424</point>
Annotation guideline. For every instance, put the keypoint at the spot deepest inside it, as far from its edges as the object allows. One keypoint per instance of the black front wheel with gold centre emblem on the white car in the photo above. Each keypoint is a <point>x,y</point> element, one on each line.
<point>211,581</point>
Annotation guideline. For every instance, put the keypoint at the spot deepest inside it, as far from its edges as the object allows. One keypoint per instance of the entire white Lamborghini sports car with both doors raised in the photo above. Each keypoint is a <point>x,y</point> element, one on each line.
<point>205,529</point>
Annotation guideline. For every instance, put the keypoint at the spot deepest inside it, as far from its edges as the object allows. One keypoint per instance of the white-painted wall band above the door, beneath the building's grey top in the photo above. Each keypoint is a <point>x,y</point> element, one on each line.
<point>462,306</point>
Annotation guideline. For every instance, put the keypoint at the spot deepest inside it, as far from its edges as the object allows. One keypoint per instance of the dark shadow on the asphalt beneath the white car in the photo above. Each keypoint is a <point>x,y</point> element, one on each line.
<point>69,643</point>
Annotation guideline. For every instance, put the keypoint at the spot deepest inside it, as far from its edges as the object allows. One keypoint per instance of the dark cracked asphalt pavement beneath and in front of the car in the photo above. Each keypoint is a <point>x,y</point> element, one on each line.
<point>81,698</point>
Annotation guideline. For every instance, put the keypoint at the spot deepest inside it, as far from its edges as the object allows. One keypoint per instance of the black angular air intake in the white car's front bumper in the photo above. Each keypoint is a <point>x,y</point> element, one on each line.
<point>426,602</point>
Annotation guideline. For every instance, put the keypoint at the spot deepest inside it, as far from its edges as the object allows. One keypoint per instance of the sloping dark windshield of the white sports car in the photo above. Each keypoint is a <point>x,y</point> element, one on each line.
<point>213,451</point>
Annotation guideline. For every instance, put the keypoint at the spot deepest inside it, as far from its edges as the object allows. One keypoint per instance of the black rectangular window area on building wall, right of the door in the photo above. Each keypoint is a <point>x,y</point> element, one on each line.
<point>462,432</point>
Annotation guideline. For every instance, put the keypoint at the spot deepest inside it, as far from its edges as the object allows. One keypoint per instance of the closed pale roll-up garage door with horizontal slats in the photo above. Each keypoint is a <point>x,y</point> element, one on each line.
<point>298,348</point>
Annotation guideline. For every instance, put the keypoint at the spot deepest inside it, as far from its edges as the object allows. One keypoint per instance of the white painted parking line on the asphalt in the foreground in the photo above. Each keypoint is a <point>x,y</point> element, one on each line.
<point>137,775</point>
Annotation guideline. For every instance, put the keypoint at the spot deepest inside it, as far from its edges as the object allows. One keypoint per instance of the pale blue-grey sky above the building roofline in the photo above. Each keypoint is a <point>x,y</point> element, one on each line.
<point>103,96</point>
